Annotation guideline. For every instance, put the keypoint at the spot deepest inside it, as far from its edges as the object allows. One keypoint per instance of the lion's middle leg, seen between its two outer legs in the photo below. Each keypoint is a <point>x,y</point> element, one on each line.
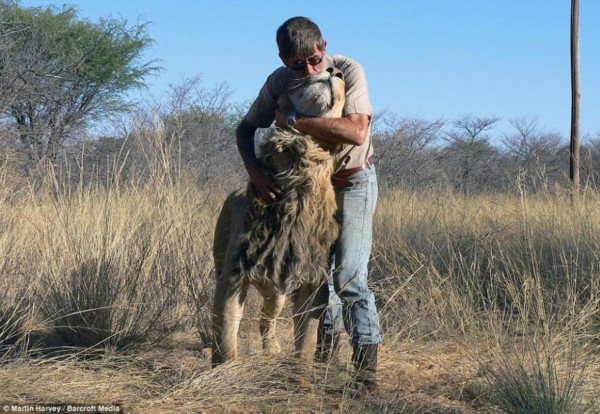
<point>272,307</point>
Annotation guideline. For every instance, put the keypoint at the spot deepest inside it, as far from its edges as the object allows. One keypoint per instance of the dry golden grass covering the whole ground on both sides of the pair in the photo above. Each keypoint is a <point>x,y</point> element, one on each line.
<point>489,304</point>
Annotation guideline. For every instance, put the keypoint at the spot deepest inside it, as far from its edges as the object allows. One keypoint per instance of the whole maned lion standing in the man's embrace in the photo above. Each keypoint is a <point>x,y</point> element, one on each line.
<point>282,248</point>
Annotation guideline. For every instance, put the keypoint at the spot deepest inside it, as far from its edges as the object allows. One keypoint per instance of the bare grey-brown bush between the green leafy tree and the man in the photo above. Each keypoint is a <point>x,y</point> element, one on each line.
<point>191,134</point>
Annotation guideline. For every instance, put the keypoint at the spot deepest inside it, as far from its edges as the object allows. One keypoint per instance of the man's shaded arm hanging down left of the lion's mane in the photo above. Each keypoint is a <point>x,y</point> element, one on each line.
<point>261,177</point>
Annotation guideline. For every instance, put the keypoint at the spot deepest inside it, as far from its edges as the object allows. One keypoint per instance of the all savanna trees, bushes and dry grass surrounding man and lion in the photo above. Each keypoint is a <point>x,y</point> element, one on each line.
<point>487,275</point>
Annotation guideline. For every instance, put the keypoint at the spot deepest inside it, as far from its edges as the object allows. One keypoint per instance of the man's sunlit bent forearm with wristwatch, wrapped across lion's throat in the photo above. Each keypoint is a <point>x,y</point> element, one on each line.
<point>351,129</point>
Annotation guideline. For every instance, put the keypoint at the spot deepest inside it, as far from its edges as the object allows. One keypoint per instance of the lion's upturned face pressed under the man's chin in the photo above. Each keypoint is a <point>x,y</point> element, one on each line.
<point>318,95</point>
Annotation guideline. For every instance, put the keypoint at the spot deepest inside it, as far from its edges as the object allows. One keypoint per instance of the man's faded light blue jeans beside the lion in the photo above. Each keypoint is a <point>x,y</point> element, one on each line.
<point>351,302</point>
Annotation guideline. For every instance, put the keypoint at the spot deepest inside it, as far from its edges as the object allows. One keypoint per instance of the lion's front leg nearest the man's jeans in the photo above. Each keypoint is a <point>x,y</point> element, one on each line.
<point>309,305</point>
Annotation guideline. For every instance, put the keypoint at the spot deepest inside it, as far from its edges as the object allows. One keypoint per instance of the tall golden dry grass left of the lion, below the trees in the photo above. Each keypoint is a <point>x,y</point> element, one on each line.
<point>106,264</point>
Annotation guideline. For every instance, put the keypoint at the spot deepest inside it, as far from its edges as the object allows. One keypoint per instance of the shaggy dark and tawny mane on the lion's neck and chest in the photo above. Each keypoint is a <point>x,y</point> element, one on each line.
<point>288,243</point>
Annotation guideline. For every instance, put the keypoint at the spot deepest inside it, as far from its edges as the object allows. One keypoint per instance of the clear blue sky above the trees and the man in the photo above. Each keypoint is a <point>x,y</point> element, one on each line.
<point>426,59</point>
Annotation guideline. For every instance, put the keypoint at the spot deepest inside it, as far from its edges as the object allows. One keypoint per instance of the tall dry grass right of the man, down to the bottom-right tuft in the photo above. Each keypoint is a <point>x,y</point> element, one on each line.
<point>516,278</point>
